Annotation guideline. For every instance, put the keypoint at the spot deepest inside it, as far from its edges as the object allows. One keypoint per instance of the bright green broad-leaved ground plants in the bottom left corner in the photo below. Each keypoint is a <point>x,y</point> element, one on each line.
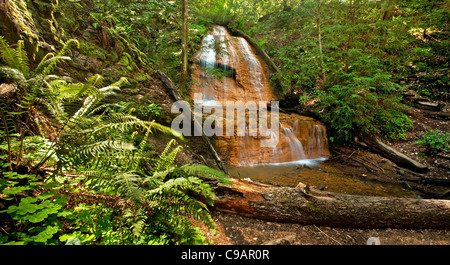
<point>35,218</point>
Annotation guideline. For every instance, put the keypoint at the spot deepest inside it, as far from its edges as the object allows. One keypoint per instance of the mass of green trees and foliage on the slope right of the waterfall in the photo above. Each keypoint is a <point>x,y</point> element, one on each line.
<point>350,56</point>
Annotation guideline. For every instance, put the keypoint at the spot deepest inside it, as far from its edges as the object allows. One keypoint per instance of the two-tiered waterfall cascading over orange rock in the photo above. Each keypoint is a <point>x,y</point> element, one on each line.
<point>245,77</point>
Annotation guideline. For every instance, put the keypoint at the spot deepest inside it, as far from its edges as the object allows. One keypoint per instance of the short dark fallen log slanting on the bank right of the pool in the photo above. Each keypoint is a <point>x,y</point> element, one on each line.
<point>394,155</point>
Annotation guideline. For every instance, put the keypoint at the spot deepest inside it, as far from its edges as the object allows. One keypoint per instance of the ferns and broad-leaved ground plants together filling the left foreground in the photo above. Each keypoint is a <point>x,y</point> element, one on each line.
<point>108,151</point>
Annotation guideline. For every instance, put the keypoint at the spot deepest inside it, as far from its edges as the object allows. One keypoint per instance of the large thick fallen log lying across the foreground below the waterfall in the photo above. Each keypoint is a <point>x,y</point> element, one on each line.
<point>310,206</point>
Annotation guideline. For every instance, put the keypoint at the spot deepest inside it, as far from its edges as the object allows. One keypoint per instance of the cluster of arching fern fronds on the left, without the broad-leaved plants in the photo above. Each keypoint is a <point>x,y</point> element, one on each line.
<point>109,153</point>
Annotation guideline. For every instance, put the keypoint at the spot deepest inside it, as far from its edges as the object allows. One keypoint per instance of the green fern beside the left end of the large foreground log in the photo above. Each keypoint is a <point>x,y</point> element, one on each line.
<point>169,186</point>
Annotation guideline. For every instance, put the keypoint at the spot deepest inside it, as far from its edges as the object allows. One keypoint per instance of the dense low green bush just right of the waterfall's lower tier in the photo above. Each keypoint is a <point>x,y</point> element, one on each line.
<point>365,106</point>
